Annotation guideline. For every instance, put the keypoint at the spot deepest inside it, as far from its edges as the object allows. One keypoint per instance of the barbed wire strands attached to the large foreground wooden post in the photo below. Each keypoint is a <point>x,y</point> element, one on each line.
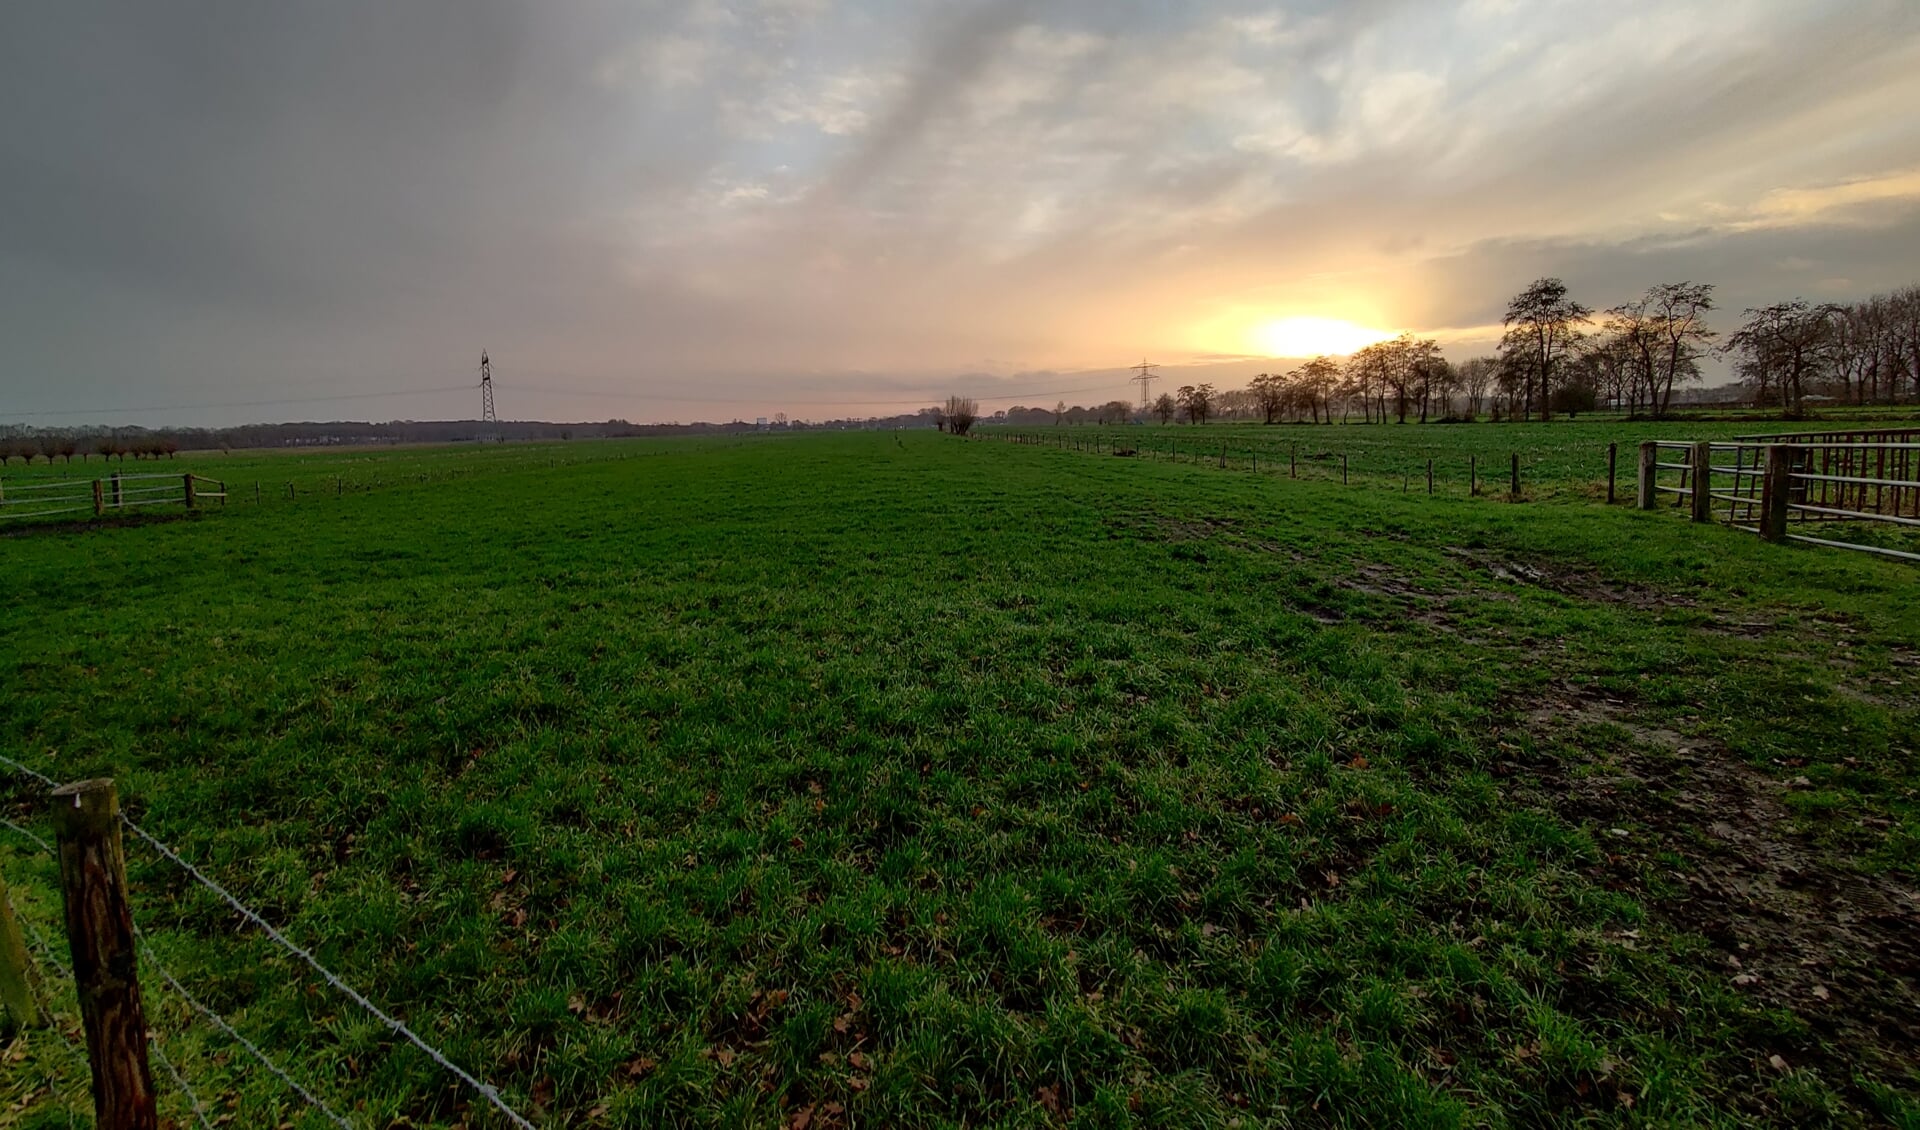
<point>491,1095</point>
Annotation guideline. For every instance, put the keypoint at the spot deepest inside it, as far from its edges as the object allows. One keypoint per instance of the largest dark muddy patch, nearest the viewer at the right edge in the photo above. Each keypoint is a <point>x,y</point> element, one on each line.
<point>1792,928</point>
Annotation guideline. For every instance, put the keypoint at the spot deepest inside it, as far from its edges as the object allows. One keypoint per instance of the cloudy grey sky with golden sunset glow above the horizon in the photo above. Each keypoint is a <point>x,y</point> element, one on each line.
<point>711,210</point>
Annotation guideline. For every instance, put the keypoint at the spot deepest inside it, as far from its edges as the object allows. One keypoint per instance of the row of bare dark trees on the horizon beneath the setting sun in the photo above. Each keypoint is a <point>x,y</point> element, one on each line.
<point>1558,356</point>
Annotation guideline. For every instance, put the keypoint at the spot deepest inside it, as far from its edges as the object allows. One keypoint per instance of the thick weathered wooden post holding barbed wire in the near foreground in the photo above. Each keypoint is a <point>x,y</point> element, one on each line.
<point>93,883</point>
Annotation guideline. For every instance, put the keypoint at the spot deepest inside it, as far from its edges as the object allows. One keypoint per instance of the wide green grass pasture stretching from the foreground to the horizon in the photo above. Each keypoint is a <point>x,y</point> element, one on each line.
<point>890,780</point>
